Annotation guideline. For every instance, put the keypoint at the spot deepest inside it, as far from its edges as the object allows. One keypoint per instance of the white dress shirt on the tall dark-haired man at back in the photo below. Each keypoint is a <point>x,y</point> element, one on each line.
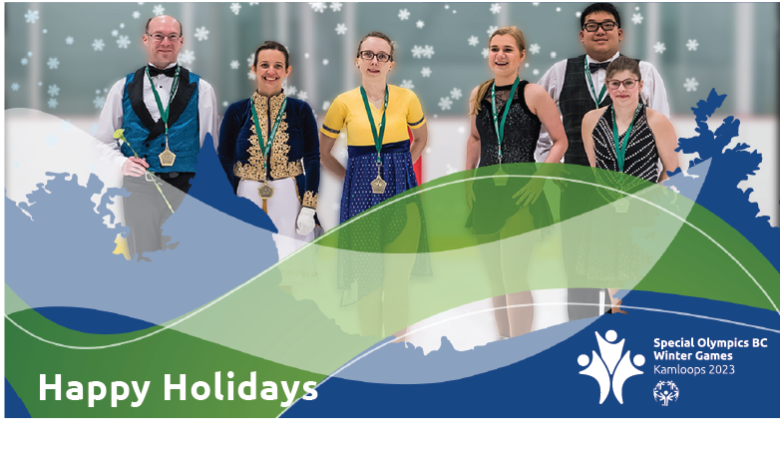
<point>653,93</point>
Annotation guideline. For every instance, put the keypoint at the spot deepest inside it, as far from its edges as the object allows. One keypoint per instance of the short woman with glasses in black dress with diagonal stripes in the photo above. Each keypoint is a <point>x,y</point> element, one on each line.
<point>626,138</point>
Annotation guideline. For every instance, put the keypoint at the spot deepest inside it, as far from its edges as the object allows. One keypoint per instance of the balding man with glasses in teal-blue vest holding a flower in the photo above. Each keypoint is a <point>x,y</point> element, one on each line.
<point>166,113</point>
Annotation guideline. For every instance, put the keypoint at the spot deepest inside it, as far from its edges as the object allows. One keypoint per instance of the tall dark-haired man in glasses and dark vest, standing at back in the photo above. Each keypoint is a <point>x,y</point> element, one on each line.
<point>578,86</point>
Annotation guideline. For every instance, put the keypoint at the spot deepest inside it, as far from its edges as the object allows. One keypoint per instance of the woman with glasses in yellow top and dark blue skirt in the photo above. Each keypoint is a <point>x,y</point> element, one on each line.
<point>381,166</point>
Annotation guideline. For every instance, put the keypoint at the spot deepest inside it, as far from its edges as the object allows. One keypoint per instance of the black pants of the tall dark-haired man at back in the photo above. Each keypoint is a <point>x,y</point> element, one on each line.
<point>574,202</point>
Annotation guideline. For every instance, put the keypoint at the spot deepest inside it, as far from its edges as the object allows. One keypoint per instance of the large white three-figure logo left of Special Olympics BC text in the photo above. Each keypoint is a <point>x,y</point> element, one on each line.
<point>609,370</point>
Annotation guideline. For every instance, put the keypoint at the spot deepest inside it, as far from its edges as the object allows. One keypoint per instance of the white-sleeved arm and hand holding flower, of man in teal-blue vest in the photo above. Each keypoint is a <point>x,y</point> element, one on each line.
<point>112,119</point>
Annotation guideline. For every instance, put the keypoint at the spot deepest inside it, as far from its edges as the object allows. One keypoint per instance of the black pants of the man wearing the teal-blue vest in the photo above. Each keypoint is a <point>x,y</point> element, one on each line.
<point>146,211</point>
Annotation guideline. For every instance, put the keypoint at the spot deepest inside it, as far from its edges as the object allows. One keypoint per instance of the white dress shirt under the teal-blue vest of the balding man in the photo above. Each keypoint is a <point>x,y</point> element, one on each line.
<point>112,116</point>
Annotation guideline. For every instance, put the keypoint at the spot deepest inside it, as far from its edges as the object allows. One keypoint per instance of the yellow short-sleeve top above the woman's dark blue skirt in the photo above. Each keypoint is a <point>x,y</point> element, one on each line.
<point>348,110</point>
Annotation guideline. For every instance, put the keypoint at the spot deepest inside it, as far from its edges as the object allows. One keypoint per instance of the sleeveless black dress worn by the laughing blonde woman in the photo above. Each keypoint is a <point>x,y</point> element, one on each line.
<point>494,204</point>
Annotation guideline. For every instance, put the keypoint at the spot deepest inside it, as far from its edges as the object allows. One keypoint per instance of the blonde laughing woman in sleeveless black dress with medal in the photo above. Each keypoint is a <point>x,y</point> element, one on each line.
<point>501,207</point>
